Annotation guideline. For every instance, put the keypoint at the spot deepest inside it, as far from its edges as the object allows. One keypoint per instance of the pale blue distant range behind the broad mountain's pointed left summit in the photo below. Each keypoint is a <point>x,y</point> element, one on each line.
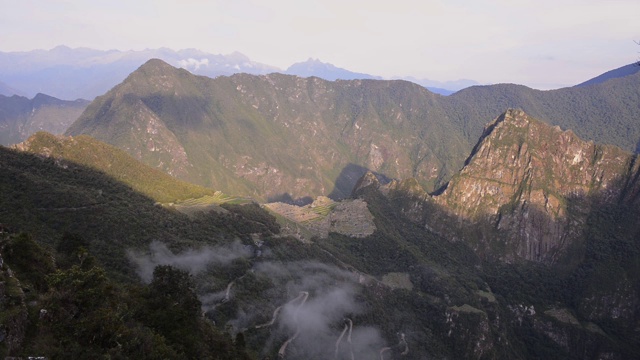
<point>86,73</point>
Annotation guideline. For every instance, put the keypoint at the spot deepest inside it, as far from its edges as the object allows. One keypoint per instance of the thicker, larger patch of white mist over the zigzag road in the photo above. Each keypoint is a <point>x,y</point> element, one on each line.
<point>315,318</point>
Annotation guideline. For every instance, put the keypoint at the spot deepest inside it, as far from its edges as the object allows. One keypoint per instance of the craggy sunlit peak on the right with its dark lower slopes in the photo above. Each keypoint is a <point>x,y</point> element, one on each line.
<point>533,194</point>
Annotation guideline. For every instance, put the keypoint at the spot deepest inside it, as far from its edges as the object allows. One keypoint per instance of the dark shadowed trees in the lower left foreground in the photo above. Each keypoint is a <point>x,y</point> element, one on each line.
<point>80,313</point>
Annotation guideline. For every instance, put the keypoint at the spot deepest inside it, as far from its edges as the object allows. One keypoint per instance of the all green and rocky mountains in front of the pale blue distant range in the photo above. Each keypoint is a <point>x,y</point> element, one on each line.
<point>275,216</point>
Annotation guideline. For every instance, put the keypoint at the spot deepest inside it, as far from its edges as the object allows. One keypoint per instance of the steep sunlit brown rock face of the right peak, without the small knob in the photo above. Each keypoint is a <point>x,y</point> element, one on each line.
<point>524,175</point>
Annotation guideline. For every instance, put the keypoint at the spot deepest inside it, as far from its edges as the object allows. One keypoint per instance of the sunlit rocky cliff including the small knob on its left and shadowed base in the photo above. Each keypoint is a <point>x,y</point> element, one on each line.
<point>526,190</point>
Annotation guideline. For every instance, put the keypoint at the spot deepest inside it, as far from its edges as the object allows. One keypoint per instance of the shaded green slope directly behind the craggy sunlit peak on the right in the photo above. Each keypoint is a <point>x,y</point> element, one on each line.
<point>604,112</point>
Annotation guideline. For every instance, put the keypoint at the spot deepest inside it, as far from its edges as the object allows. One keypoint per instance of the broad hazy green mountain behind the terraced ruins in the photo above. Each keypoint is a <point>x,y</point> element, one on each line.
<point>275,135</point>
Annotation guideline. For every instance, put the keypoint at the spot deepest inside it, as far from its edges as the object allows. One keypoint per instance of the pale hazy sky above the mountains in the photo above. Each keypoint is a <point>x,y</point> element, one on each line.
<point>542,44</point>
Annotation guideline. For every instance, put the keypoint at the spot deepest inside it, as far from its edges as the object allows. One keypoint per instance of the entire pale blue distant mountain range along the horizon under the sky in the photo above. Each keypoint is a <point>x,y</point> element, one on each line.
<point>85,73</point>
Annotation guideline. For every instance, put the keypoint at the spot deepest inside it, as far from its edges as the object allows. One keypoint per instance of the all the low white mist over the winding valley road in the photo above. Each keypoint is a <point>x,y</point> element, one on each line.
<point>310,310</point>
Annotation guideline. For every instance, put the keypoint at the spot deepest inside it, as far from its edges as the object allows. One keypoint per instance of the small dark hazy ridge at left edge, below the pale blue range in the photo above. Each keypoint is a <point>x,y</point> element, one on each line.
<point>20,117</point>
